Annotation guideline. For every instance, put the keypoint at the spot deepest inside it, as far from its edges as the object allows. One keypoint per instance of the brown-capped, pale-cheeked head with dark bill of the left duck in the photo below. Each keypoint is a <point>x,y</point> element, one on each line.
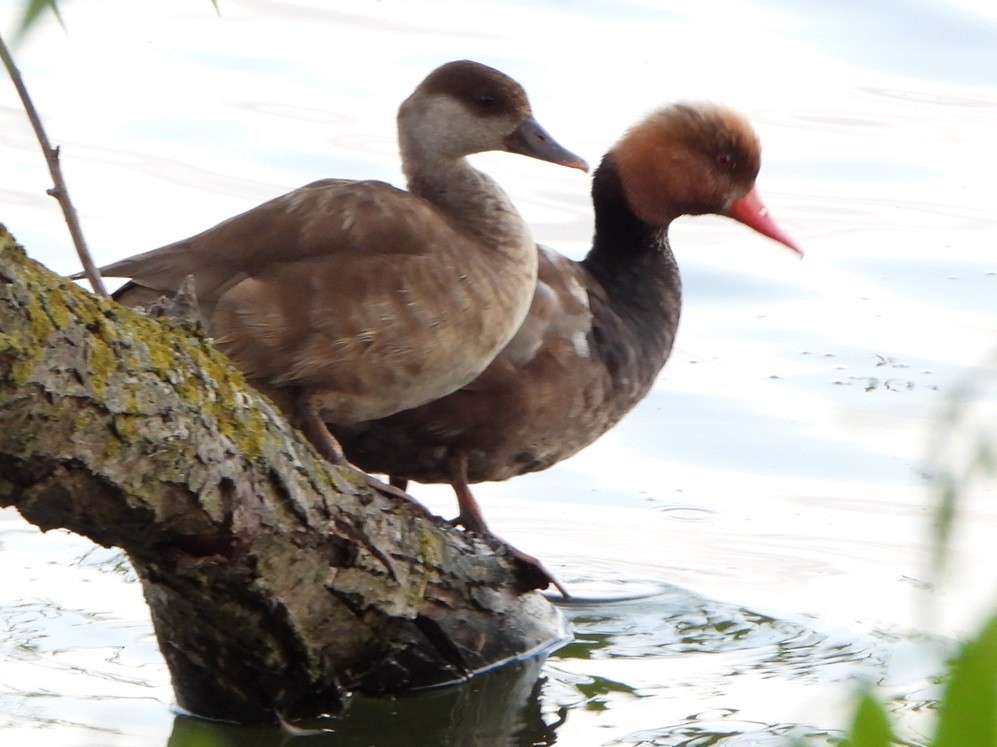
<point>465,107</point>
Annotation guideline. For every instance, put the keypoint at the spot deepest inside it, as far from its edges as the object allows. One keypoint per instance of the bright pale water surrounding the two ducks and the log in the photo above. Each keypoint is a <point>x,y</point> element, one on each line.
<point>753,540</point>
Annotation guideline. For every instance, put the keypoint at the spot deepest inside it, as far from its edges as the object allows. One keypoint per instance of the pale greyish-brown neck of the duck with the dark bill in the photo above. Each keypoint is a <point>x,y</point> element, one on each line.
<point>471,199</point>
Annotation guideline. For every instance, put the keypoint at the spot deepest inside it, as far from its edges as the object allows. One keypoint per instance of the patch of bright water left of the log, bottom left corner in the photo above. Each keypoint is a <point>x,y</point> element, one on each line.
<point>82,662</point>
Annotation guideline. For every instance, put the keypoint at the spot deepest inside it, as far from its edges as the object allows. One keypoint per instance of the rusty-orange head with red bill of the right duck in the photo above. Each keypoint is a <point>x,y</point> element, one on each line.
<point>691,159</point>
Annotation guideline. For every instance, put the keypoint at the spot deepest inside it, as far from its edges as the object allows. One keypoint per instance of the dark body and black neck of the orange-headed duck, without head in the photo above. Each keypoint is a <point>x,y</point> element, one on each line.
<point>597,335</point>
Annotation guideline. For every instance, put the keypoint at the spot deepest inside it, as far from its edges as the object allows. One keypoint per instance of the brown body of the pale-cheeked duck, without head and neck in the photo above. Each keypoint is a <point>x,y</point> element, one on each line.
<point>363,294</point>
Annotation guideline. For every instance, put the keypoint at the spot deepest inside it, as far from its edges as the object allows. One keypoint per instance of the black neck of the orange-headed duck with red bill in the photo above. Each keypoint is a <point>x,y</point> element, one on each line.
<point>633,262</point>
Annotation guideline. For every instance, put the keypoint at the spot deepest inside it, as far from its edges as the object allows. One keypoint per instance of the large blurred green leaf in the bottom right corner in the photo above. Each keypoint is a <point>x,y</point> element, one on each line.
<point>968,713</point>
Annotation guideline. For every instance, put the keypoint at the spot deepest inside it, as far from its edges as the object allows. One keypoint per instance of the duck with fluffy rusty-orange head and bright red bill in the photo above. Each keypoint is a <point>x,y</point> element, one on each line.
<point>598,331</point>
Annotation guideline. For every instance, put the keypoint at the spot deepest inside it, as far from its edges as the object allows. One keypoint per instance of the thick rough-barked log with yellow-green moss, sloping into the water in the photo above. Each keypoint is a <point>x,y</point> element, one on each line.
<point>276,582</point>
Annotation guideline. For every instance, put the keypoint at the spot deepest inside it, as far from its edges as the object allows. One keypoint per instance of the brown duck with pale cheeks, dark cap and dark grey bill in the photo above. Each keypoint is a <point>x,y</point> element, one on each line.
<point>347,301</point>
